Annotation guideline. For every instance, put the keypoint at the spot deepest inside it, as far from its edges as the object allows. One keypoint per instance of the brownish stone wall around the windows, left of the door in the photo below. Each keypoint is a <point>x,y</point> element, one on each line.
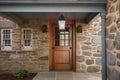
<point>33,61</point>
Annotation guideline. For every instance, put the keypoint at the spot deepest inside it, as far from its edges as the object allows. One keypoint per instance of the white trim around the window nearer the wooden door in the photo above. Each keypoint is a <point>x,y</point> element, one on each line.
<point>27,48</point>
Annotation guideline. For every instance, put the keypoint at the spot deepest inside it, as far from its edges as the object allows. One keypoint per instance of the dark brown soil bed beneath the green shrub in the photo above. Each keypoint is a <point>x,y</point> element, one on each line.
<point>11,77</point>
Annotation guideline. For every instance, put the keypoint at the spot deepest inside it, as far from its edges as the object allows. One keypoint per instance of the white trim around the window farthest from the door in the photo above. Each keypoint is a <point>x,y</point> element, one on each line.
<point>3,47</point>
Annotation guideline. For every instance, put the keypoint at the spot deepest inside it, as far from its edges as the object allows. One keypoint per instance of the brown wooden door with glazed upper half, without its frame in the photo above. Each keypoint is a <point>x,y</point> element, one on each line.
<point>62,49</point>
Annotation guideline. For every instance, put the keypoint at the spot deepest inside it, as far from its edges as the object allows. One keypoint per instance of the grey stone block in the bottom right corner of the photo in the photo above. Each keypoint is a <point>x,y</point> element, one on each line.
<point>115,73</point>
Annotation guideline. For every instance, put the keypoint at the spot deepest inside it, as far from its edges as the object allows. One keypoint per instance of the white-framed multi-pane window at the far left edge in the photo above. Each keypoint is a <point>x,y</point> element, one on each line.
<point>6,39</point>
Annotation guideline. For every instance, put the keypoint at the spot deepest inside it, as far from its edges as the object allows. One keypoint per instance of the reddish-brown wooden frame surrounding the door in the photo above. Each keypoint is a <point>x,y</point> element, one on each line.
<point>51,44</point>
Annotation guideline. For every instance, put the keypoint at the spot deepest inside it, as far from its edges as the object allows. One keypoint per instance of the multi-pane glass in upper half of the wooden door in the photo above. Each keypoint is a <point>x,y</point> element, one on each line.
<point>62,37</point>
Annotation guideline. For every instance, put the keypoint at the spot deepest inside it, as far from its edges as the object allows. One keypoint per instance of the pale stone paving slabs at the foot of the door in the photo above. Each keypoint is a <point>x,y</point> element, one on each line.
<point>67,76</point>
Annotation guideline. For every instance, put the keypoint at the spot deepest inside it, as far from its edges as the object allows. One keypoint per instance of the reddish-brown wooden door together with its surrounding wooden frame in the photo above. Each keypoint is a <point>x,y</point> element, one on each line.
<point>62,46</point>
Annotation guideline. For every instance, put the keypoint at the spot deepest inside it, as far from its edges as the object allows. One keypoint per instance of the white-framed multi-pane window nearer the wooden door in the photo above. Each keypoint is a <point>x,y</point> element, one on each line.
<point>27,39</point>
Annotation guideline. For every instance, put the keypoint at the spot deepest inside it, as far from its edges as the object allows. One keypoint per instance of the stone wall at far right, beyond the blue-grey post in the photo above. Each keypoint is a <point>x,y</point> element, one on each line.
<point>113,40</point>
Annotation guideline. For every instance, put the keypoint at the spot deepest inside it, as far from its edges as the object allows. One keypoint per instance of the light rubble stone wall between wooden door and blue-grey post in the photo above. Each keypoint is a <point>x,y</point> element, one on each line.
<point>88,47</point>
